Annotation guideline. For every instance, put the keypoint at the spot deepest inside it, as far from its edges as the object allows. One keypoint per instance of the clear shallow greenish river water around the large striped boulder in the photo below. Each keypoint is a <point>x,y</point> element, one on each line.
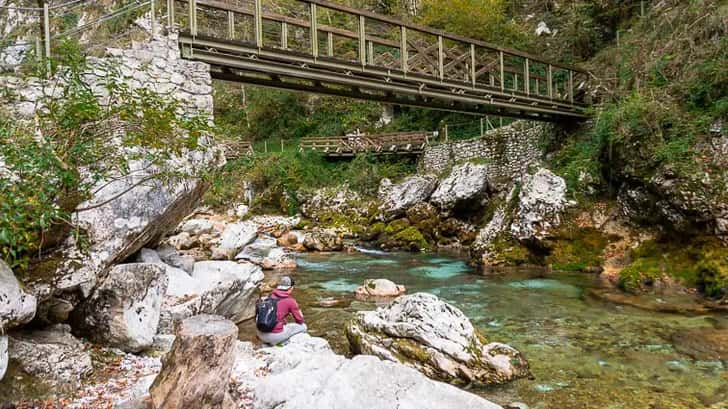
<point>584,353</point>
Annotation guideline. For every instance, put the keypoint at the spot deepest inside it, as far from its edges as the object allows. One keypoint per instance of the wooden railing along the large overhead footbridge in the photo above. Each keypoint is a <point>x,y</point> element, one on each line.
<point>331,32</point>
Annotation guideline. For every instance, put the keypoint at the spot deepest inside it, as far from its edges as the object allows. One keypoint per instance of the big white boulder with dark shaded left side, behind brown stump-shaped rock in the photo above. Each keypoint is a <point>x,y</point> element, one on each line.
<point>124,310</point>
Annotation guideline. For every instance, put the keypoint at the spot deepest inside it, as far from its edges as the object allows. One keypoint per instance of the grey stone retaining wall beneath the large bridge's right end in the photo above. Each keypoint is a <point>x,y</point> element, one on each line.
<point>508,150</point>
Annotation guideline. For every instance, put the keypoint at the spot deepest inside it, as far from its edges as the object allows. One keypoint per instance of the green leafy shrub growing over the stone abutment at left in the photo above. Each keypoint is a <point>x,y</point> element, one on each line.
<point>54,164</point>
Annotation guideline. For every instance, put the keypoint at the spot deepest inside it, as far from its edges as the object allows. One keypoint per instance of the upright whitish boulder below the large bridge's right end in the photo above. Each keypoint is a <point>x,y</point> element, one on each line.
<point>541,201</point>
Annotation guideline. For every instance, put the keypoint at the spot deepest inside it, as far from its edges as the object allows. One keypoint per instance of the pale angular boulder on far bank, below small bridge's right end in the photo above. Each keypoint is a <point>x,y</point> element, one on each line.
<point>397,198</point>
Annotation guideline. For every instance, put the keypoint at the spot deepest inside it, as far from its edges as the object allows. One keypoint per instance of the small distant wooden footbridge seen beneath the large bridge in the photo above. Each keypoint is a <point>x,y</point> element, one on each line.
<point>407,143</point>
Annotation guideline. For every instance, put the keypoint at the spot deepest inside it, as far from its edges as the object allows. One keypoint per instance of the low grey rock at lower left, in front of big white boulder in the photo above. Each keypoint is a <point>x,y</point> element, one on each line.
<point>51,354</point>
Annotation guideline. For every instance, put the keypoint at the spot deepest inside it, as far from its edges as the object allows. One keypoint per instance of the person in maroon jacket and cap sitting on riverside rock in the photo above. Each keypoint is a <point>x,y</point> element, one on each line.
<point>285,305</point>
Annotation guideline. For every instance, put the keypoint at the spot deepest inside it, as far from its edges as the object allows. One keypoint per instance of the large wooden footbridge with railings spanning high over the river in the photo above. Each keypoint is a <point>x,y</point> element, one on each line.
<point>333,49</point>
